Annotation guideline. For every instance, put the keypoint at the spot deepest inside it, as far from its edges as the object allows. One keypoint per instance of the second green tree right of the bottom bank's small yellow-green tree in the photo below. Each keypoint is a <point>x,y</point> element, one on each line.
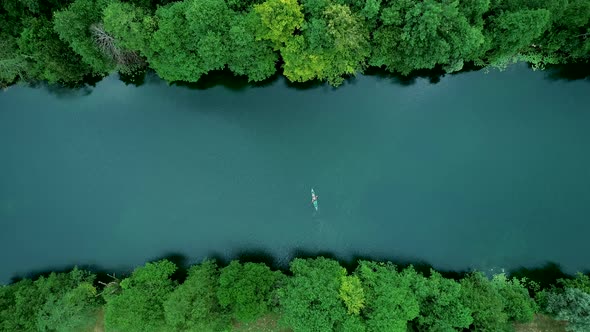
<point>441,308</point>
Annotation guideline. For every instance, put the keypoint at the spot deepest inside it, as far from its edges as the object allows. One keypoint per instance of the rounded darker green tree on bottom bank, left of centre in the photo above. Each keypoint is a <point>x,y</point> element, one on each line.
<point>248,290</point>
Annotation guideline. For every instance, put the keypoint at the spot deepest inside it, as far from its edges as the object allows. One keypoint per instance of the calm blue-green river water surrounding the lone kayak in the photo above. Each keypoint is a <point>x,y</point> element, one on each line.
<point>476,171</point>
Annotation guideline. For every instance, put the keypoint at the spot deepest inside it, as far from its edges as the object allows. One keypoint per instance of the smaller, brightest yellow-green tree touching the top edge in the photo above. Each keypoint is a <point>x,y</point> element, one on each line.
<point>279,20</point>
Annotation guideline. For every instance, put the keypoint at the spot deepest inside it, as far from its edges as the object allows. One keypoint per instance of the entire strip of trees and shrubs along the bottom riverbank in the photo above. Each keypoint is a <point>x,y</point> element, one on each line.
<point>314,294</point>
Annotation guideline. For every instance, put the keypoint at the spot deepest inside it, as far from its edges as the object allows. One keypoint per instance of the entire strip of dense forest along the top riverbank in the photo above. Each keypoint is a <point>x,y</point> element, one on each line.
<point>70,41</point>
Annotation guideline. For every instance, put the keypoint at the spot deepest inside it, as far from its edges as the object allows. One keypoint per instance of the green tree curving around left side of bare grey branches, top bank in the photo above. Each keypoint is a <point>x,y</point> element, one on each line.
<point>73,25</point>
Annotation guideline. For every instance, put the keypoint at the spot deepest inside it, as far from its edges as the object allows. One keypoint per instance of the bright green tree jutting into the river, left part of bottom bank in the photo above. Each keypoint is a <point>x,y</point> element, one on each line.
<point>139,306</point>
